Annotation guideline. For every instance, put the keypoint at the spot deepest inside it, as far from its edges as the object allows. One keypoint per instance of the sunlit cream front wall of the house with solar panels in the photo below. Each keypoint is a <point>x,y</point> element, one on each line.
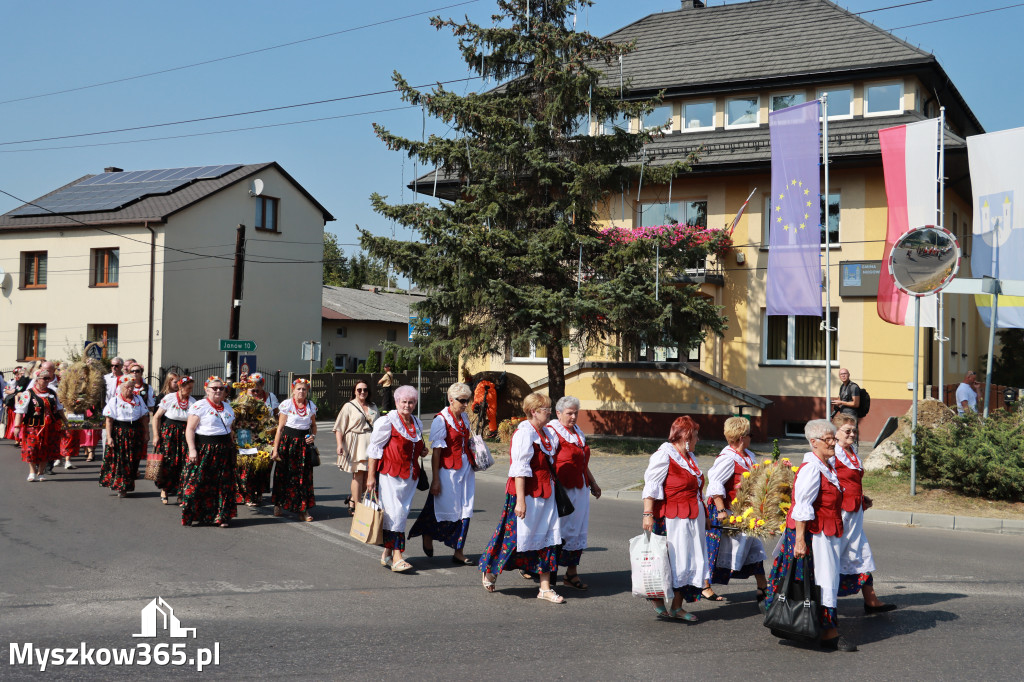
<point>68,305</point>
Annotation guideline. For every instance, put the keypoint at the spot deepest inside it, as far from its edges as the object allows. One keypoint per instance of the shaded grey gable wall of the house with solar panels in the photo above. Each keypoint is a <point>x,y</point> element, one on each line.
<point>281,304</point>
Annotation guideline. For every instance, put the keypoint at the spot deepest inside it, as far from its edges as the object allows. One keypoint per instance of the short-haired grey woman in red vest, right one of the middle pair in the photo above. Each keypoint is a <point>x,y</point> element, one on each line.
<point>573,470</point>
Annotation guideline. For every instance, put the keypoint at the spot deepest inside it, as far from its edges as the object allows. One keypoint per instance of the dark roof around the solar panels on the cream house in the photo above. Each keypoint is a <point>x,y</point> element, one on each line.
<point>152,209</point>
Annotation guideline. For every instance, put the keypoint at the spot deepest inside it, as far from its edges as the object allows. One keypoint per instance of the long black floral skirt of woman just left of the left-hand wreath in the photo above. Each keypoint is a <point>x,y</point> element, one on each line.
<point>208,484</point>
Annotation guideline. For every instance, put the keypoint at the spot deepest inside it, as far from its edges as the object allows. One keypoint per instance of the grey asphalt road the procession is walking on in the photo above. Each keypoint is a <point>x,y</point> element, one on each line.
<point>284,600</point>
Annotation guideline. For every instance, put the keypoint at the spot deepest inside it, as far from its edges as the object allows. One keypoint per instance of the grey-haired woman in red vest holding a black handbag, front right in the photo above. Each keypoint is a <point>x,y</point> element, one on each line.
<point>815,530</point>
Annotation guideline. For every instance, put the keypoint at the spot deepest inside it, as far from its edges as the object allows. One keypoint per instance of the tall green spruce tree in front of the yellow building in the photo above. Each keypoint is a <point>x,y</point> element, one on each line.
<point>500,264</point>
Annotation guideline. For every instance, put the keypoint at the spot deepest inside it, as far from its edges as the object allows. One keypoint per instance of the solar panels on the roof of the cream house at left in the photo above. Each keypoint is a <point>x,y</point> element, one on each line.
<point>108,192</point>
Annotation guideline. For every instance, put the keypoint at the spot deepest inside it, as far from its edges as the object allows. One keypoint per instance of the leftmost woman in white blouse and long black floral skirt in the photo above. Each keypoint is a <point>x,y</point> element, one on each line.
<point>127,434</point>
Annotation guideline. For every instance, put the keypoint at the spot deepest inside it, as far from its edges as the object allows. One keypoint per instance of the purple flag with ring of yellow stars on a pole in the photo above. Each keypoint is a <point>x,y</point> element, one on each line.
<point>795,236</point>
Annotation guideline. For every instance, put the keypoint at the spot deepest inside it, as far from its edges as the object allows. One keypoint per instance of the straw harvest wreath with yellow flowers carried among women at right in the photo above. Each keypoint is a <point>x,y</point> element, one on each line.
<point>764,496</point>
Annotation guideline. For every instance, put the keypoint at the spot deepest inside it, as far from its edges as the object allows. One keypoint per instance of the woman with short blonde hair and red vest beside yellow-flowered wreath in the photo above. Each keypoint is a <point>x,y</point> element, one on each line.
<point>733,557</point>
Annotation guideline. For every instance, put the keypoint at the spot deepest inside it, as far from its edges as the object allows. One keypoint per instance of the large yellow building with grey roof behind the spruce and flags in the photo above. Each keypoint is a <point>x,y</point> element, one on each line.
<point>722,71</point>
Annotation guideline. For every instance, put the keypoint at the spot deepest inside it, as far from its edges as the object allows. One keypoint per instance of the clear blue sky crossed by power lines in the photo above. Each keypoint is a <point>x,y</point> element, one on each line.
<point>57,47</point>
